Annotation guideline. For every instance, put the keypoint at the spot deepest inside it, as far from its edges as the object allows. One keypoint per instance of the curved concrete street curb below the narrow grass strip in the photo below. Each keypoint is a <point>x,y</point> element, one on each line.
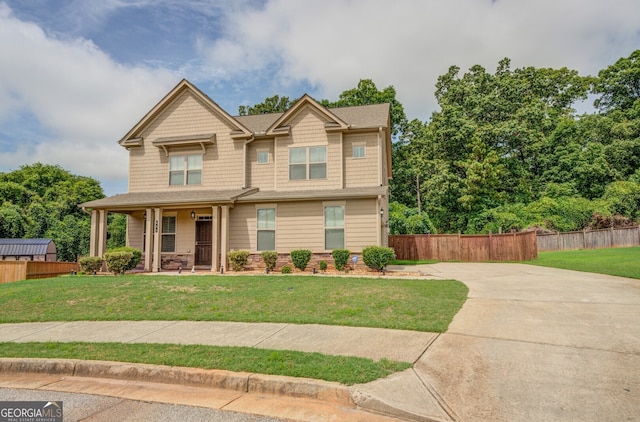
<point>213,378</point>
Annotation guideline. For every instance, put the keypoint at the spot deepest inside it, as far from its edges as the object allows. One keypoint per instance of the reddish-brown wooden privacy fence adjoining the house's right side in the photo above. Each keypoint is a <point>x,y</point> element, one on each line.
<point>472,248</point>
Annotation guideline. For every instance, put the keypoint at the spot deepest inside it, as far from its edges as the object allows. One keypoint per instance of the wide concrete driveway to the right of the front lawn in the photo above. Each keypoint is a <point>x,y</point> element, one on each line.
<point>535,343</point>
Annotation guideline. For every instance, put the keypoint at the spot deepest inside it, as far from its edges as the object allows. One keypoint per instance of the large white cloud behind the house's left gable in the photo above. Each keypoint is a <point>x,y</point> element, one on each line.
<point>83,100</point>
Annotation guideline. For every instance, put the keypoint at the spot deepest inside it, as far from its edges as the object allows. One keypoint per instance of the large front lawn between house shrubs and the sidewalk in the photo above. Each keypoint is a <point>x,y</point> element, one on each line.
<point>421,305</point>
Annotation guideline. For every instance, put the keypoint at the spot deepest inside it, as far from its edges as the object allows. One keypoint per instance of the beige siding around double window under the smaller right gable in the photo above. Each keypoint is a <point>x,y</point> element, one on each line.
<point>307,130</point>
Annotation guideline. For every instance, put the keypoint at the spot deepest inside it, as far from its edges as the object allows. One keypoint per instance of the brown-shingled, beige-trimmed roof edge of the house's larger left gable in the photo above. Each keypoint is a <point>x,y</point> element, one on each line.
<point>131,138</point>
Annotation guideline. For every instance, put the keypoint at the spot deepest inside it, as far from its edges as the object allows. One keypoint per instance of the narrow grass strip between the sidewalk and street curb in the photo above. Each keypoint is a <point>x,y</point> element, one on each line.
<point>347,370</point>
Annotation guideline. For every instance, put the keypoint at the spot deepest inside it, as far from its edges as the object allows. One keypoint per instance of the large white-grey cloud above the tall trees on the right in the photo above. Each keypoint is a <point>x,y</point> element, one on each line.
<point>409,43</point>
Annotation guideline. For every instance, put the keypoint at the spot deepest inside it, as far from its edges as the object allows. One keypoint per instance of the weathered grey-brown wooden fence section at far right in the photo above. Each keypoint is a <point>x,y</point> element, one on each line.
<point>604,238</point>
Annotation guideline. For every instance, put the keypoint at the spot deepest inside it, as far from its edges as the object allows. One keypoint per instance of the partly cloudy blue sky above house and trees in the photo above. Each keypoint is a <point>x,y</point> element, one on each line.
<point>76,75</point>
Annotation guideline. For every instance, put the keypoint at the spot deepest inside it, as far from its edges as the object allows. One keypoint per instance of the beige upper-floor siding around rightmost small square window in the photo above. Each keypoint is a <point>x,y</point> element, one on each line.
<point>360,172</point>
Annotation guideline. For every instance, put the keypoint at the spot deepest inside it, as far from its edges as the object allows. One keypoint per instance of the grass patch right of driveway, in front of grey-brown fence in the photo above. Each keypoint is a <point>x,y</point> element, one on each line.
<point>624,262</point>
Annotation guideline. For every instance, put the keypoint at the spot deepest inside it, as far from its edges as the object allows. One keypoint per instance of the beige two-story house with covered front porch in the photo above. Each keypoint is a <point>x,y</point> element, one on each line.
<point>202,182</point>
